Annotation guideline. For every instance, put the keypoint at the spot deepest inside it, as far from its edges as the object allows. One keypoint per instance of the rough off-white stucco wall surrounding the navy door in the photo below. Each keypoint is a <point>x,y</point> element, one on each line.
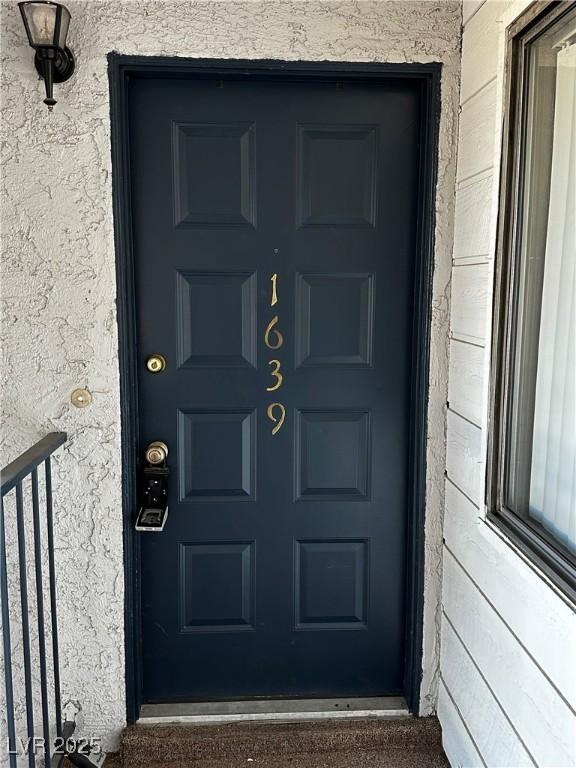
<point>58,279</point>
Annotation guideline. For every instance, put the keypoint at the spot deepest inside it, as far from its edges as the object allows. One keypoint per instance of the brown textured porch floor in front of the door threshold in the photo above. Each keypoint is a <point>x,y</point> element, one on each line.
<point>379,743</point>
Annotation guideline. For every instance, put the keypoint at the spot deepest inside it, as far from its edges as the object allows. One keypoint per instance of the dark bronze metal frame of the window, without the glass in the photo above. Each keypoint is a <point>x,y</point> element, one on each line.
<point>535,542</point>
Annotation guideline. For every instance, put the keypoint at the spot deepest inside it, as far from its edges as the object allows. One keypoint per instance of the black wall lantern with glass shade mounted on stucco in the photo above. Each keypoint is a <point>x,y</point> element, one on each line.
<point>47,27</point>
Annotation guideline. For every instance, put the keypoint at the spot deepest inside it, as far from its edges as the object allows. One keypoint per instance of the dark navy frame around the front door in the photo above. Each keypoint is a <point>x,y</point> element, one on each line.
<point>122,68</point>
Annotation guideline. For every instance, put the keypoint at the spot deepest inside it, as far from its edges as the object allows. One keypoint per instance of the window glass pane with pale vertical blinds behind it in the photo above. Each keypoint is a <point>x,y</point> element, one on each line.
<point>540,471</point>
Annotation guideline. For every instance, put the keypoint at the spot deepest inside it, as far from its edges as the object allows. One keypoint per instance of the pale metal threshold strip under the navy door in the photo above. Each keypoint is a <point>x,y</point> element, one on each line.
<point>272,710</point>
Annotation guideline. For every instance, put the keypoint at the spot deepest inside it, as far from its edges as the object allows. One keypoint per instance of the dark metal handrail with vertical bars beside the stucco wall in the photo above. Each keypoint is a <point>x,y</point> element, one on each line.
<point>12,478</point>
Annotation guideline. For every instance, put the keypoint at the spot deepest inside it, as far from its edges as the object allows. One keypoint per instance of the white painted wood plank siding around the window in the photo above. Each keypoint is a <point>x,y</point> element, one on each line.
<point>508,665</point>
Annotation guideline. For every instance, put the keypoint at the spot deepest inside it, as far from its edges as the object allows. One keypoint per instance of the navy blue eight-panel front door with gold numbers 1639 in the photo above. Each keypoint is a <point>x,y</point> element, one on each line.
<point>274,228</point>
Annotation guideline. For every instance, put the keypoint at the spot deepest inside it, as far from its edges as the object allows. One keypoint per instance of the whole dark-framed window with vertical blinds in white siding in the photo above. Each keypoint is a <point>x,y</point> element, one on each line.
<point>532,467</point>
